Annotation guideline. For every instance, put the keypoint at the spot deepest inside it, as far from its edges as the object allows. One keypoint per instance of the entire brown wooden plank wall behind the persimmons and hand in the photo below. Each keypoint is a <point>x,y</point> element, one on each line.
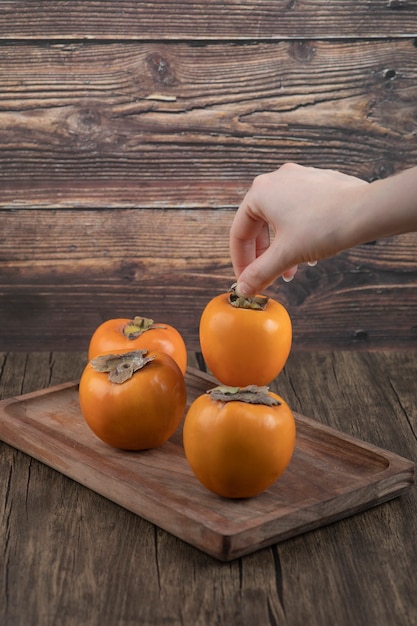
<point>129,132</point>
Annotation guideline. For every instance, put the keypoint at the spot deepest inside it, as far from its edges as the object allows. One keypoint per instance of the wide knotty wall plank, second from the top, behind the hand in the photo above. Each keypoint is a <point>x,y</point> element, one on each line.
<point>158,125</point>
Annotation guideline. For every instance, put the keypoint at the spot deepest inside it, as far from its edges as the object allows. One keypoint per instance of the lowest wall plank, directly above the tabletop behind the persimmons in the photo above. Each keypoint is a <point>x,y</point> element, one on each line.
<point>72,270</point>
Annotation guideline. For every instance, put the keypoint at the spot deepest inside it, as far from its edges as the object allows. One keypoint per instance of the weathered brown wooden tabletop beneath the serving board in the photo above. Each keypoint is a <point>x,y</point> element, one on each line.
<point>72,557</point>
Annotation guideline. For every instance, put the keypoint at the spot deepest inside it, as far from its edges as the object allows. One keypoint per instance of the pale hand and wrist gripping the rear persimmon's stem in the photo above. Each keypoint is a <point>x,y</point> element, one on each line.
<point>313,214</point>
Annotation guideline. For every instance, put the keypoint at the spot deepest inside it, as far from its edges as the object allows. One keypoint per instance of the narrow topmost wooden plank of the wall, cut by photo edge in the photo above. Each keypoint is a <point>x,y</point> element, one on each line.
<point>214,19</point>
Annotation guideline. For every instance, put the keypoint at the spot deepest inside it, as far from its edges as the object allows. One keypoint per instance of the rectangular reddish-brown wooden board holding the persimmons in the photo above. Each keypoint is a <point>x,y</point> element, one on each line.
<point>331,475</point>
